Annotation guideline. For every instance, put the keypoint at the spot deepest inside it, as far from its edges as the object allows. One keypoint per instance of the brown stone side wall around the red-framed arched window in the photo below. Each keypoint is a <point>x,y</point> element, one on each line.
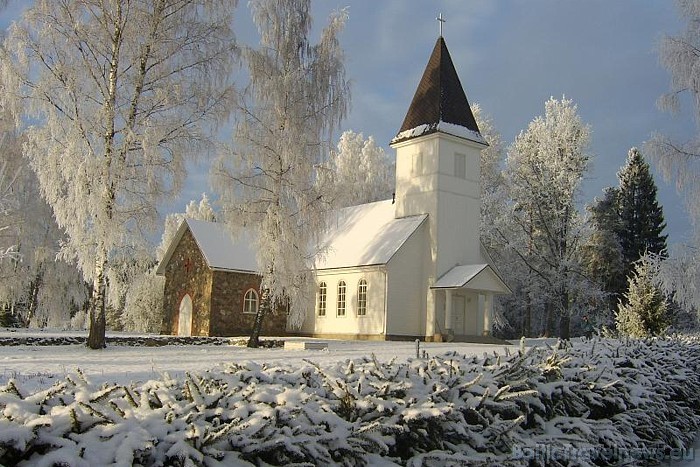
<point>227,317</point>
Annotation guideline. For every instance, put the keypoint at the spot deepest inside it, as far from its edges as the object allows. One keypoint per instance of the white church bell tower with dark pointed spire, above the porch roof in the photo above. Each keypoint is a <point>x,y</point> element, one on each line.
<point>438,165</point>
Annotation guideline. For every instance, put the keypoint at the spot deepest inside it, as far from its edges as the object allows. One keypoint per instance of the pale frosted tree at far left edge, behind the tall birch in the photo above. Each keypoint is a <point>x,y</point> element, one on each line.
<point>36,287</point>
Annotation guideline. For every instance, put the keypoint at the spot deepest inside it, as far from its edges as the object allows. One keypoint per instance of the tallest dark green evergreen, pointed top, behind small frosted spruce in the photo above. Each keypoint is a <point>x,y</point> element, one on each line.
<point>641,218</point>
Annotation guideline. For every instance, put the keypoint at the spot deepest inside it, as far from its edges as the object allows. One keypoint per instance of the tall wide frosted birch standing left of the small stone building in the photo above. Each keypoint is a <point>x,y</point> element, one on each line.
<point>118,94</point>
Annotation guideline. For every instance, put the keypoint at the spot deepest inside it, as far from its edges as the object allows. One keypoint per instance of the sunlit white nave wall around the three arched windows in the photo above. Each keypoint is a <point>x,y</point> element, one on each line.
<point>372,323</point>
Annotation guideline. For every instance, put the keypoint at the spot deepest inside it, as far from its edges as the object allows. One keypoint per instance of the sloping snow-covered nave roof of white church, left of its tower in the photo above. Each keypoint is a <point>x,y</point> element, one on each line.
<point>365,235</point>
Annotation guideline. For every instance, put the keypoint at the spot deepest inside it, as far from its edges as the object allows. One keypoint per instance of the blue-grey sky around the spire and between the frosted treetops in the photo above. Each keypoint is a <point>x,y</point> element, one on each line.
<point>511,55</point>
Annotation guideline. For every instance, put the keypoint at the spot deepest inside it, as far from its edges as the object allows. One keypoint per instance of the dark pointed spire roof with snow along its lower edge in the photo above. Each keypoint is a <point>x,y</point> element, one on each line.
<point>439,104</point>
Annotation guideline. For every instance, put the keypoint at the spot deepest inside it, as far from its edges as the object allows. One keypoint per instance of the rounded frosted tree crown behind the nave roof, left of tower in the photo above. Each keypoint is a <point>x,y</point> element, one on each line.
<point>361,171</point>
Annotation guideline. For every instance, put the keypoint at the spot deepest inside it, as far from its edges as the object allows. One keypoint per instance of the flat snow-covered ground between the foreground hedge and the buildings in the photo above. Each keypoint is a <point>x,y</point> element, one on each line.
<point>38,367</point>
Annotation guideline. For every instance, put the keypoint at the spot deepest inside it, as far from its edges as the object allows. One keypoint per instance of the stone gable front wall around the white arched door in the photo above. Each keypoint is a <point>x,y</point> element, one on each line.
<point>187,273</point>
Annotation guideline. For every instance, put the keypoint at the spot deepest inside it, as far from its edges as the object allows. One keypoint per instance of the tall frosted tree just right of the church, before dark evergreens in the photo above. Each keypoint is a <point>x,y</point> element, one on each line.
<point>544,170</point>
